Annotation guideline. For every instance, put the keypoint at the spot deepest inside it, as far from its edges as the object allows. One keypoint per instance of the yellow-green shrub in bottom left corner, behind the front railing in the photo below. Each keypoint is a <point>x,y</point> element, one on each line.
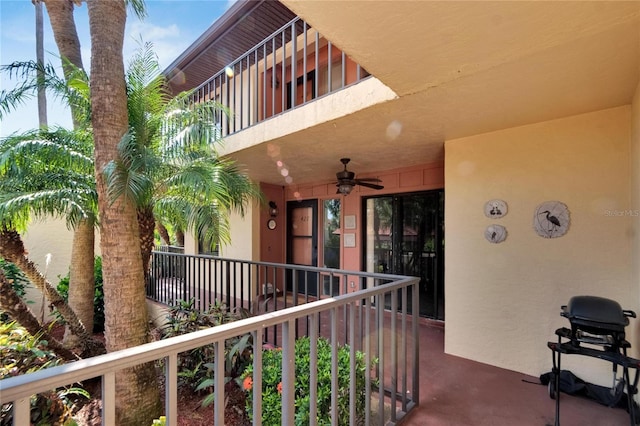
<point>22,353</point>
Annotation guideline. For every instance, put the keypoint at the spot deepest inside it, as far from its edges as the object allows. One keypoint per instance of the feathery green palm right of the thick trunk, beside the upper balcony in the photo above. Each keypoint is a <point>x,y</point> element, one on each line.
<point>168,164</point>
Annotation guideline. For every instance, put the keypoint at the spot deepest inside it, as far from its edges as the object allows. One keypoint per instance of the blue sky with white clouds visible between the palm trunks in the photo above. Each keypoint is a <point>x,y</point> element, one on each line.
<point>171,25</point>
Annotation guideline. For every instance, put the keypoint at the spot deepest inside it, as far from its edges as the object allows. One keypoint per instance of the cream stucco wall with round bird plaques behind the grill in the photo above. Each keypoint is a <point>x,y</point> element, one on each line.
<point>503,300</point>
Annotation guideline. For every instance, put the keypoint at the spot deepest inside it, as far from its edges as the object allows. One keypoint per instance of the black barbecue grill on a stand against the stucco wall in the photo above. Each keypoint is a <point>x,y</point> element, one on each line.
<point>597,330</point>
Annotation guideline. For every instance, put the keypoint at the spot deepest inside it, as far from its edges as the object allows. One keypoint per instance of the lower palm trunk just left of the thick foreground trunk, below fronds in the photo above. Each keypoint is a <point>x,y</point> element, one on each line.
<point>82,279</point>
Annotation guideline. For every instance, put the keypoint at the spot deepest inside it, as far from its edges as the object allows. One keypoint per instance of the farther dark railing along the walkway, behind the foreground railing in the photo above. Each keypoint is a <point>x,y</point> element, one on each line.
<point>255,287</point>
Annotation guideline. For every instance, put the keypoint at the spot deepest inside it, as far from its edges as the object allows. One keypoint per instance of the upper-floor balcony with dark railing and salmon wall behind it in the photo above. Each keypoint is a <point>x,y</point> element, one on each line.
<point>295,65</point>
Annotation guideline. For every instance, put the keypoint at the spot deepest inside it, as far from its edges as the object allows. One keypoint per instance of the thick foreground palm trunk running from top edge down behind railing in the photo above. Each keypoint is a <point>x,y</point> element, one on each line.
<point>126,319</point>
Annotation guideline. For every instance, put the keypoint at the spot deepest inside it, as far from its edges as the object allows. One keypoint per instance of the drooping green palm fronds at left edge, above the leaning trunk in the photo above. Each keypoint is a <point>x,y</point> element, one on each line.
<point>48,173</point>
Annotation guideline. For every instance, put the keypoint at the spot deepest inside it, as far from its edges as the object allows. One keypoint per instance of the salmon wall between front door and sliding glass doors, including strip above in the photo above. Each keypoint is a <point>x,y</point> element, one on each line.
<point>419,178</point>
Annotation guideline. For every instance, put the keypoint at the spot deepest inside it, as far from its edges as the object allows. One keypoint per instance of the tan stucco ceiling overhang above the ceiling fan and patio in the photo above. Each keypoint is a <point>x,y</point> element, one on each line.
<point>456,69</point>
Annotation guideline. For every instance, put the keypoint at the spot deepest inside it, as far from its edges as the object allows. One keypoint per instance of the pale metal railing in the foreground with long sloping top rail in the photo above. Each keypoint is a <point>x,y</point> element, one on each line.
<point>388,333</point>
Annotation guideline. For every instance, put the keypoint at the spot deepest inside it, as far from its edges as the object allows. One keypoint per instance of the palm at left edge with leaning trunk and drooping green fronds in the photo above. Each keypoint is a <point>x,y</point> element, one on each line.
<point>46,174</point>
